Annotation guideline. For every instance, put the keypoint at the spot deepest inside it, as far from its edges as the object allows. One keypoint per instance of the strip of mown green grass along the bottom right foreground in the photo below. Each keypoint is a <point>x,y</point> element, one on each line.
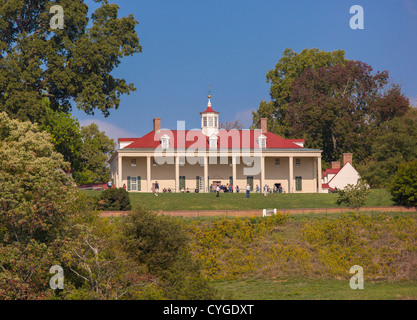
<point>314,289</point>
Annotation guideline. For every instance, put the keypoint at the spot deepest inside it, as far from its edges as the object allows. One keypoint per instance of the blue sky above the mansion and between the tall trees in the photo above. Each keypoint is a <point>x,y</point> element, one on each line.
<point>232,44</point>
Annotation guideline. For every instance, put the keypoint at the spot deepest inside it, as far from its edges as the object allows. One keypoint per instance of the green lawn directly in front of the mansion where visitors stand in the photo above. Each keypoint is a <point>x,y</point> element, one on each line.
<point>238,201</point>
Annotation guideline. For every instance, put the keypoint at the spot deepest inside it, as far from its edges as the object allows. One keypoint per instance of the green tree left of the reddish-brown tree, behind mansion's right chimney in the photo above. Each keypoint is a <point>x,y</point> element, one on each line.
<point>289,68</point>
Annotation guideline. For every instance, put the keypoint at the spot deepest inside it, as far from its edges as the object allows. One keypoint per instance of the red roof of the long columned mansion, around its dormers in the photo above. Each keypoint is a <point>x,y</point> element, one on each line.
<point>233,139</point>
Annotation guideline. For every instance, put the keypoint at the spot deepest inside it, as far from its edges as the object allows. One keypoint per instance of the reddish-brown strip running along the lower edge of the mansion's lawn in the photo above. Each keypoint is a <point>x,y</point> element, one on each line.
<point>258,212</point>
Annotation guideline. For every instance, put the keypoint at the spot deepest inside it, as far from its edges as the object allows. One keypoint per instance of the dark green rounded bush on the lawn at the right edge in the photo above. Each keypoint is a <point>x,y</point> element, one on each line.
<point>404,184</point>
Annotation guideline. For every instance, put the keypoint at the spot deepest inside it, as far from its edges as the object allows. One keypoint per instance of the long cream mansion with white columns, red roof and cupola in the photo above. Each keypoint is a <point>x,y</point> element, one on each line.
<point>199,159</point>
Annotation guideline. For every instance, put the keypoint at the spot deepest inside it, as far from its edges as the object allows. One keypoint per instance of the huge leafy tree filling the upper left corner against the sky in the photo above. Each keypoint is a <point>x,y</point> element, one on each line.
<point>70,64</point>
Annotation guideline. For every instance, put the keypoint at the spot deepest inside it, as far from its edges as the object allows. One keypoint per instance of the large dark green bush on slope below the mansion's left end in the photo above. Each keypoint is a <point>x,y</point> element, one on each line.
<point>161,242</point>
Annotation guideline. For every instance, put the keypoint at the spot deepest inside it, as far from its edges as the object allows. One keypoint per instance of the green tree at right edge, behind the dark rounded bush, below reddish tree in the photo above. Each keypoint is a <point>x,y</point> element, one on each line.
<point>395,143</point>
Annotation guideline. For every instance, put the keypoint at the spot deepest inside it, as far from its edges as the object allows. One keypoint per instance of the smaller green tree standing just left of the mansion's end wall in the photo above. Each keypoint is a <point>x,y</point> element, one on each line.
<point>94,154</point>
